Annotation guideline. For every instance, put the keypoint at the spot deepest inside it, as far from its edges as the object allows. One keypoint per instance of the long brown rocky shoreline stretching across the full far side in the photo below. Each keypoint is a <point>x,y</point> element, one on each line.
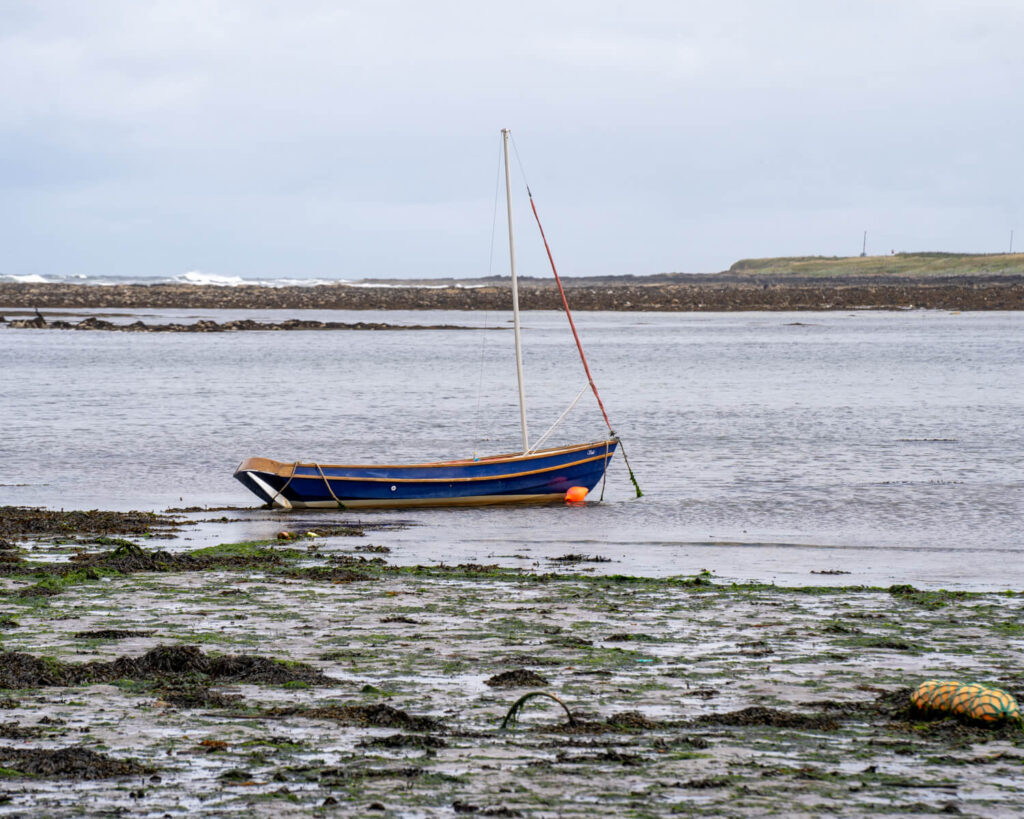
<point>706,295</point>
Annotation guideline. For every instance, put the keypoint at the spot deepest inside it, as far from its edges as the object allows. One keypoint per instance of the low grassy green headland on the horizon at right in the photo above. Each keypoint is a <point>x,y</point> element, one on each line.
<point>900,265</point>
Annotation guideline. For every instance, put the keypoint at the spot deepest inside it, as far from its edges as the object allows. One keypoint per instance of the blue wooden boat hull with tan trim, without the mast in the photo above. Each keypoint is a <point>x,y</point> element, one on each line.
<point>544,477</point>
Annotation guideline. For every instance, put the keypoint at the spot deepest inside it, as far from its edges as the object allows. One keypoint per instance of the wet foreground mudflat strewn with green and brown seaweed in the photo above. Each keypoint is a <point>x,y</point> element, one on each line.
<point>313,677</point>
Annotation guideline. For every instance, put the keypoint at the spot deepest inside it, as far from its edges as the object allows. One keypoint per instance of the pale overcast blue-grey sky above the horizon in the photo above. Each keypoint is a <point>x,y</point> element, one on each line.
<point>361,140</point>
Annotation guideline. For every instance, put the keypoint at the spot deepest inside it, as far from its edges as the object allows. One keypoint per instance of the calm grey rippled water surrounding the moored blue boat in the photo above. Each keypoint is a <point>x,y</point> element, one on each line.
<point>770,446</point>
